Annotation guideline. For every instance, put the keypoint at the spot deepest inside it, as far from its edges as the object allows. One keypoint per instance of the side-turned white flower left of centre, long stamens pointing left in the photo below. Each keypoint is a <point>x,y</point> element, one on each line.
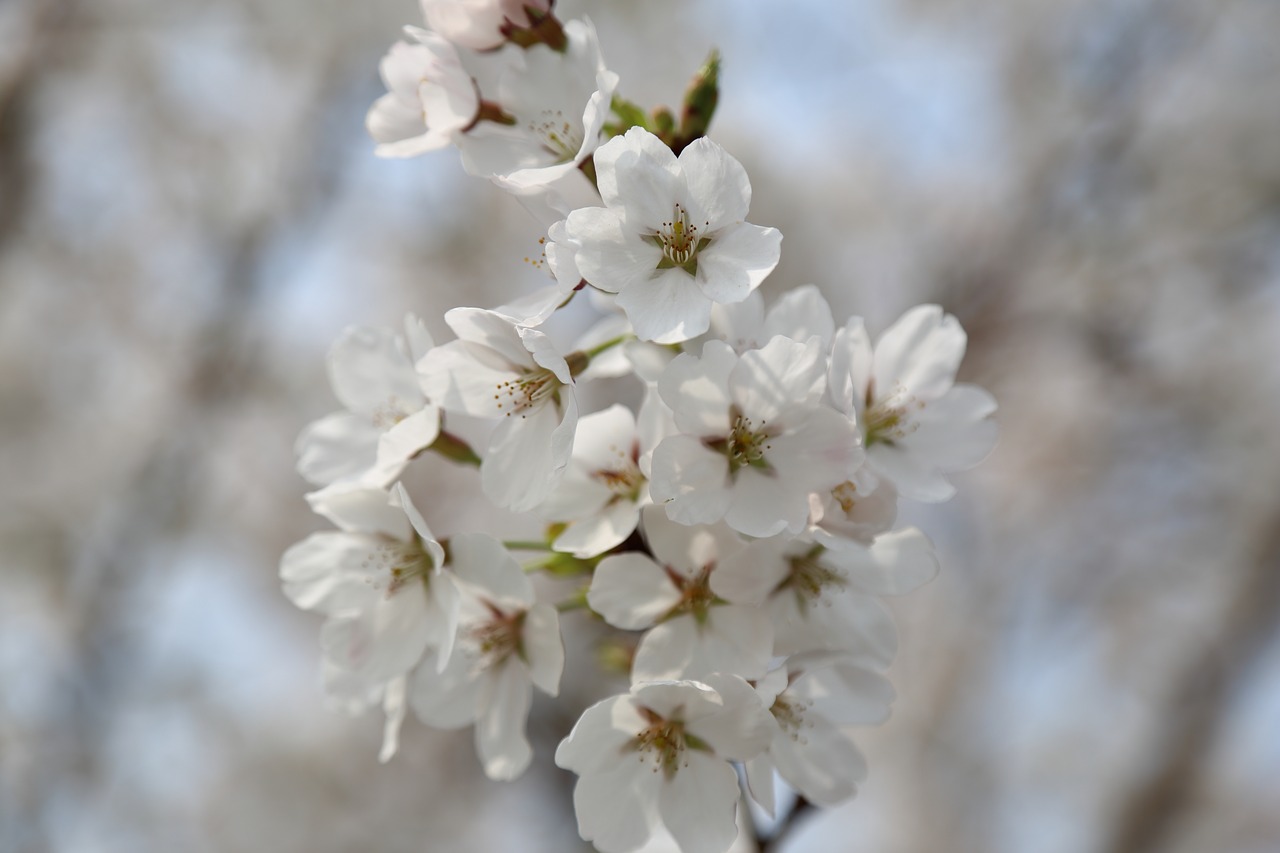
<point>500,370</point>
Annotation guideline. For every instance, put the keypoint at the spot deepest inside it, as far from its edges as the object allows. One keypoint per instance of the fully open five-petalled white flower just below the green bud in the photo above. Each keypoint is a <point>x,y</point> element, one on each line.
<point>671,239</point>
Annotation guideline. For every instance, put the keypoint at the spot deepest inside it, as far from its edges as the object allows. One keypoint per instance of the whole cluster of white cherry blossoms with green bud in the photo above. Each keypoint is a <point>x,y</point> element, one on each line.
<point>738,531</point>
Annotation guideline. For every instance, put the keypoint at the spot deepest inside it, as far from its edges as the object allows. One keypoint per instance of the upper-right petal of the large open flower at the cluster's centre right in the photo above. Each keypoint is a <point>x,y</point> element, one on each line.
<point>781,378</point>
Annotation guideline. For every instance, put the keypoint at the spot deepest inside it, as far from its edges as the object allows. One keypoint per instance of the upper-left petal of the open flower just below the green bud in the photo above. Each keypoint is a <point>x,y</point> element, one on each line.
<point>639,175</point>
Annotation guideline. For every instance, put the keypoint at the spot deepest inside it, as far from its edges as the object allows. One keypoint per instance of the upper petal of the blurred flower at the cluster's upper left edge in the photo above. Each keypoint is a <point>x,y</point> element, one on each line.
<point>369,368</point>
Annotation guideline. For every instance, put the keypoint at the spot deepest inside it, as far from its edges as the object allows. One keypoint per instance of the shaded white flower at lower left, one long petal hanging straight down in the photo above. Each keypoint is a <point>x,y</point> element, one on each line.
<point>506,645</point>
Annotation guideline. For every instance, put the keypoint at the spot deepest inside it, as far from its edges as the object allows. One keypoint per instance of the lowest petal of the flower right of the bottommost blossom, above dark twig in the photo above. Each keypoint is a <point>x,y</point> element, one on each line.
<point>820,763</point>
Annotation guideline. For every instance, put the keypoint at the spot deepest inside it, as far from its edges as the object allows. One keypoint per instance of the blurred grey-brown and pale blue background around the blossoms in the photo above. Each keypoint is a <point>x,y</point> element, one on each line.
<point>190,213</point>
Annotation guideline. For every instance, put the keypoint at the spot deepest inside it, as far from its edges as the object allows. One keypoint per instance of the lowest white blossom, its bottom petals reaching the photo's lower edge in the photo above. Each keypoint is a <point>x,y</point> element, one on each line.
<point>660,756</point>
